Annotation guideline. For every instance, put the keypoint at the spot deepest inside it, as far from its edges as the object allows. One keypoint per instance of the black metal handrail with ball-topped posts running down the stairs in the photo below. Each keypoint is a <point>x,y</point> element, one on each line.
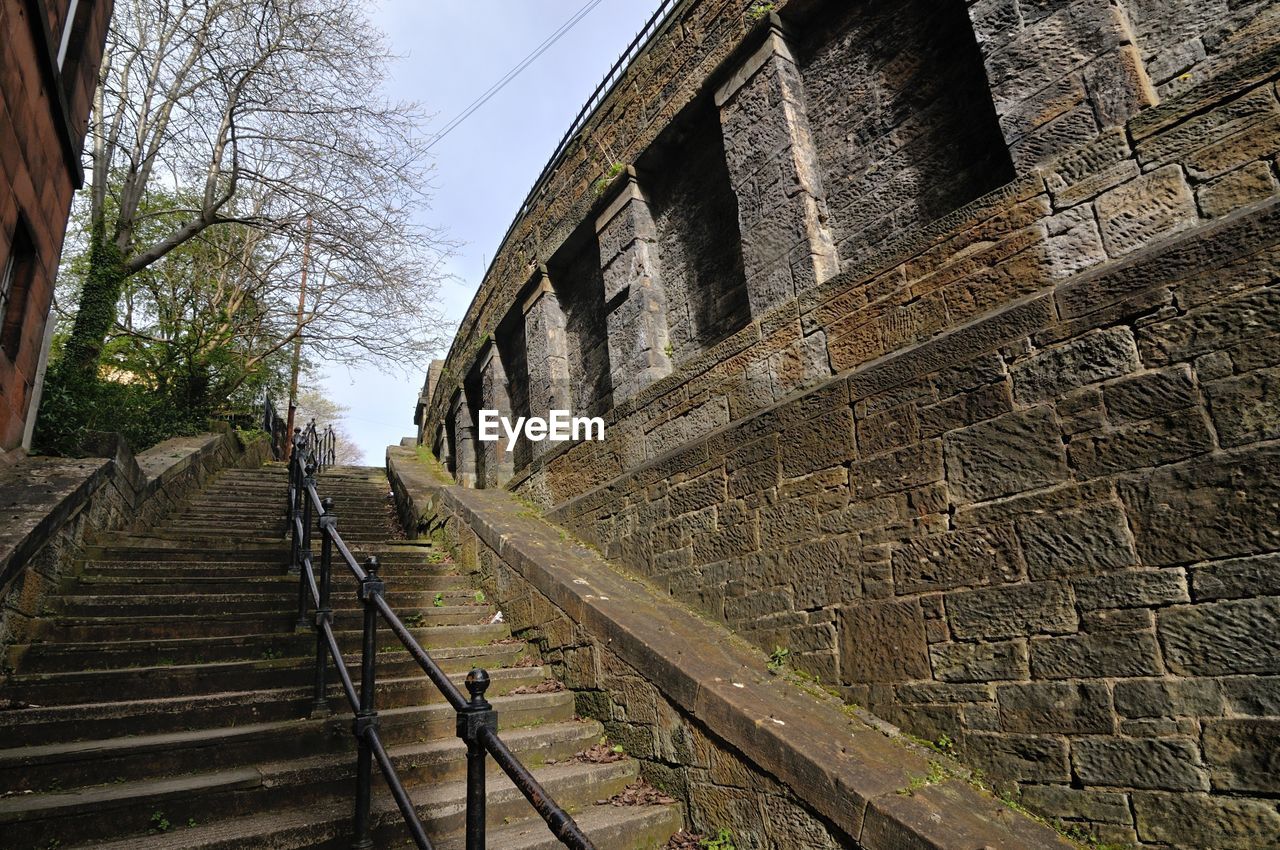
<point>477,719</point>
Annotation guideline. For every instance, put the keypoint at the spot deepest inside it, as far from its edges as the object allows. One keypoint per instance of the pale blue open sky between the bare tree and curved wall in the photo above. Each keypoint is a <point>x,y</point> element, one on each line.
<point>451,52</point>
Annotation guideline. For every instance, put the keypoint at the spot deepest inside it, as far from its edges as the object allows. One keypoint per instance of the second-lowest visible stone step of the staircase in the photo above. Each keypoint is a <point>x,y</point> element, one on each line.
<point>125,808</point>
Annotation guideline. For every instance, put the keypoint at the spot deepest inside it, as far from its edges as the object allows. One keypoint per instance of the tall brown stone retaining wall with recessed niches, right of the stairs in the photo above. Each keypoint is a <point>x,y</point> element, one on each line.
<point>1012,478</point>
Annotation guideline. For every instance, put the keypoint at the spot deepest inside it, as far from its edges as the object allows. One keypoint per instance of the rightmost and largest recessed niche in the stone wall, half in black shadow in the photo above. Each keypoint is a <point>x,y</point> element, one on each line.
<point>902,118</point>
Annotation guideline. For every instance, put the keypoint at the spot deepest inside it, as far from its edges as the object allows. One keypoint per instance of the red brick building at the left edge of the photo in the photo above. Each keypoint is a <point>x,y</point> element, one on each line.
<point>51,52</point>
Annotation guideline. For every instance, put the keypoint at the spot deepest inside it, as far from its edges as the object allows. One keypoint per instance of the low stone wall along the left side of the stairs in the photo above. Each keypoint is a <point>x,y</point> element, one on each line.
<point>53,506</point>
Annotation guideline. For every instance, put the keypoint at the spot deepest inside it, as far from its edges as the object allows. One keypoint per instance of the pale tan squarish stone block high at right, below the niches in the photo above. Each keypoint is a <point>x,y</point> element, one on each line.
<point>1151,207</point>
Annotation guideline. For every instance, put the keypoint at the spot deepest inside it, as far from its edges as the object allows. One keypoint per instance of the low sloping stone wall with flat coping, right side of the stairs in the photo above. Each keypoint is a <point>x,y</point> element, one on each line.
<point>697,707</point>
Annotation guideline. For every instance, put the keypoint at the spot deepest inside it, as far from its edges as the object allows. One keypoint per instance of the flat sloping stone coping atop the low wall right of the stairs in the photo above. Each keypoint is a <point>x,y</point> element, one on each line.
<point>844,769</point>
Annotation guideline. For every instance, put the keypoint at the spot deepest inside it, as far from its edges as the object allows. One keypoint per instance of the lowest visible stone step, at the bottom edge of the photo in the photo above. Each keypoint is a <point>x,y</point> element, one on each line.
<point>610,829</point>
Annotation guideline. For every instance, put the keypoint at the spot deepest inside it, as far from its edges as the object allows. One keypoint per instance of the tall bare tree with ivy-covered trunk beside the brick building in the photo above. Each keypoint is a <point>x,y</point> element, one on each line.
<point>260,115</point>
